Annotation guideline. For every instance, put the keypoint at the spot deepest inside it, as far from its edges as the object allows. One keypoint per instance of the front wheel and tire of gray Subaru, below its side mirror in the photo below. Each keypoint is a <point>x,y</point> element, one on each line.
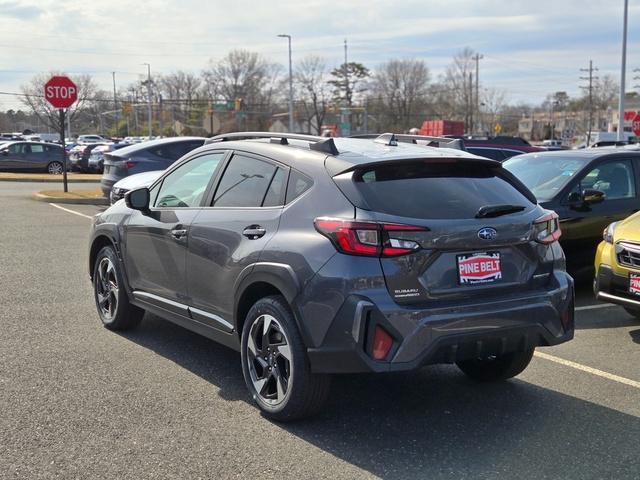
<point>112,302</point>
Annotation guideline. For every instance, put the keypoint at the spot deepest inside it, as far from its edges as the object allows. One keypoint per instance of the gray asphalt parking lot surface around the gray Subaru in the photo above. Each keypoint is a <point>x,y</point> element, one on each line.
<point>78,401</point>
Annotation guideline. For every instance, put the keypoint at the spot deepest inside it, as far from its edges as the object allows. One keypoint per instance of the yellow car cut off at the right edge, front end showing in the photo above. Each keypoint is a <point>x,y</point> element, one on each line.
<point>617,265</point>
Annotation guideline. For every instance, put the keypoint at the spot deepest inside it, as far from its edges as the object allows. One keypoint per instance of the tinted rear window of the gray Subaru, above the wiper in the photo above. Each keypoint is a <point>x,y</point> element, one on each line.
<point>436,190</point>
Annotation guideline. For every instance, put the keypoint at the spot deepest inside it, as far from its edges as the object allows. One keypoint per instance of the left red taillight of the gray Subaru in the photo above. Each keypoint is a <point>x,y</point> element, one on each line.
<point>369,239</point>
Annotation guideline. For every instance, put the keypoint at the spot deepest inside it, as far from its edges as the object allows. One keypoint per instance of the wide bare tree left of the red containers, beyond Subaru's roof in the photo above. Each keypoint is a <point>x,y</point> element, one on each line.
<point>400,88</point>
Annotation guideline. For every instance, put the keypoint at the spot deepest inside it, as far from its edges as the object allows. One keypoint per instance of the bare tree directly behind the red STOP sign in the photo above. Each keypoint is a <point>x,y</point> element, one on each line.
<point>88,99</point>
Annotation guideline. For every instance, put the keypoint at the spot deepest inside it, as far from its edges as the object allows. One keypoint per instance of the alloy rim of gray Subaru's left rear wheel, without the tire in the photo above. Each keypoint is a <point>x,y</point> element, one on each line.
<point>269,359</point>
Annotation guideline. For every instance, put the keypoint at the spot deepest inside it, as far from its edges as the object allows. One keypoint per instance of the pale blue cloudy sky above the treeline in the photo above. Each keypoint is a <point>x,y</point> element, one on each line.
<point>530,48</point>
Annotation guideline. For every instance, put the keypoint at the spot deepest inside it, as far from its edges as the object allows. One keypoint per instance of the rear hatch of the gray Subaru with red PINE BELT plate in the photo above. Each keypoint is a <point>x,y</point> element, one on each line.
<point>452,229</point>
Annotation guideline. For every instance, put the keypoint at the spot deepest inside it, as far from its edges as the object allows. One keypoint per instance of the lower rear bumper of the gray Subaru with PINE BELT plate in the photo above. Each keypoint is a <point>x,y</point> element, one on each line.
<point>445,334</point>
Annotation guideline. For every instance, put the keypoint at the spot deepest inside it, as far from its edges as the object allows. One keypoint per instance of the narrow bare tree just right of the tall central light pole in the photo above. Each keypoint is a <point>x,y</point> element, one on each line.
<point>313,91</point>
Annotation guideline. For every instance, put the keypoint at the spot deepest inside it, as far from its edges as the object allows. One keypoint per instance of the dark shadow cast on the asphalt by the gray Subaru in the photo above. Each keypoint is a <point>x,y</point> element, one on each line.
<point>434,423</point>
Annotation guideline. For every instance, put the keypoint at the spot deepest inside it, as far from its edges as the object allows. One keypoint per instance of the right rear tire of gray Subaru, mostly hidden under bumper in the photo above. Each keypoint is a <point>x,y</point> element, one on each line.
<point>496,368</point>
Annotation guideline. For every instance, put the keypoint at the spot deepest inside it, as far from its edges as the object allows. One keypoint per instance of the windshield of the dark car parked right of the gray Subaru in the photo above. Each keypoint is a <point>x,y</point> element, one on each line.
<point>545,175</point>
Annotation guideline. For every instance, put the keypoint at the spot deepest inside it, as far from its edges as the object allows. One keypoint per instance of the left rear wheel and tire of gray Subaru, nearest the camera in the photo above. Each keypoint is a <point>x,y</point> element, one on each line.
<point>305,393</point>
